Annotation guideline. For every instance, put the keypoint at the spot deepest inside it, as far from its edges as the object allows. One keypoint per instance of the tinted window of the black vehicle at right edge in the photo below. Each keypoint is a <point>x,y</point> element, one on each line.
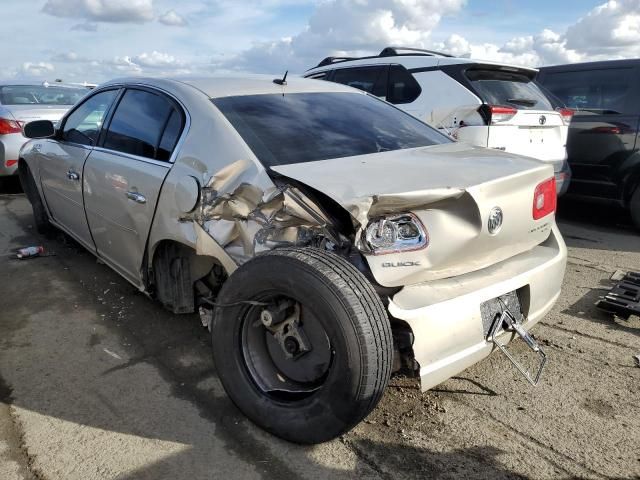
<point>599,91</point>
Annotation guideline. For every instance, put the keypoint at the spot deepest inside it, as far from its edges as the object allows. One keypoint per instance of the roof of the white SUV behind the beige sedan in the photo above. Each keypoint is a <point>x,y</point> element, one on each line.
<point>411,62</point>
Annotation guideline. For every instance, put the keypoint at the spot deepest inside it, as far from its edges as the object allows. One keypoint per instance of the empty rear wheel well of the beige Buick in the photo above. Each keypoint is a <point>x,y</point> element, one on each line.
<point>174,271</point>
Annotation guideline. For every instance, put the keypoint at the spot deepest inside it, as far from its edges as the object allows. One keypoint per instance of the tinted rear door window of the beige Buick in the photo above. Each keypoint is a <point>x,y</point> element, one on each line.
<point>145,124</point>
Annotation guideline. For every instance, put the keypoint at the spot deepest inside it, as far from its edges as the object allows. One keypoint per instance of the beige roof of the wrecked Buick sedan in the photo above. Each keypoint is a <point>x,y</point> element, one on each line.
<point>239,85</point>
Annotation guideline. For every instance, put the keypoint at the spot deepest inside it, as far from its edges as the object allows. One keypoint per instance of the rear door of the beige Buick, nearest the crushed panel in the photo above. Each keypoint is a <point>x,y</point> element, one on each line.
<point>125,173</point>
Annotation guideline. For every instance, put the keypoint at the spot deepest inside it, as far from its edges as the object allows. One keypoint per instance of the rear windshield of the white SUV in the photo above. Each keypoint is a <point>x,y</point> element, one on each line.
<point>508,88</point>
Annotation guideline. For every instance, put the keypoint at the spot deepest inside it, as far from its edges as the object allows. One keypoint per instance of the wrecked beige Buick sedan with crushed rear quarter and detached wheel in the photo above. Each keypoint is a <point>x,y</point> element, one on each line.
<point>299,220</point>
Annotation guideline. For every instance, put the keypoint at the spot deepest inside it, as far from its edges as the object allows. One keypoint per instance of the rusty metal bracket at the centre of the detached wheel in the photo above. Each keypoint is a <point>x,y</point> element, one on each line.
<point>283,321</point>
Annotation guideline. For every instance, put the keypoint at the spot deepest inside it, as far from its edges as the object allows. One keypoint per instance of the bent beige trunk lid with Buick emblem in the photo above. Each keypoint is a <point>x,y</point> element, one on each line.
<point>451,188</point>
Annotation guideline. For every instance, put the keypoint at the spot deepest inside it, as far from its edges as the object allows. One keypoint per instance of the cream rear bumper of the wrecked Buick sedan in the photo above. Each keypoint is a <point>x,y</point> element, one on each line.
<point>445,317</point>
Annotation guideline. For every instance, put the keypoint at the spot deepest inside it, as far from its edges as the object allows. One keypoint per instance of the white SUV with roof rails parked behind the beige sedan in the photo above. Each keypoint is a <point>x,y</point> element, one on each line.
<point>487,104</point>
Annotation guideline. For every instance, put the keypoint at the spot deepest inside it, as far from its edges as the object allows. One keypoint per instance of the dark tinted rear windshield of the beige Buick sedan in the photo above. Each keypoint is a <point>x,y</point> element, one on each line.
<point>305,127</point>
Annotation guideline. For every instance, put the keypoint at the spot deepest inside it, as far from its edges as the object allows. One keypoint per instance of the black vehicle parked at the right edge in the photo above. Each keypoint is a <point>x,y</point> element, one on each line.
<point>603,138</point>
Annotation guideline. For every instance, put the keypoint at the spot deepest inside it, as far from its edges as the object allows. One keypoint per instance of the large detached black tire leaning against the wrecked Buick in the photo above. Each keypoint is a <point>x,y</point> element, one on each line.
<point>326,390</point>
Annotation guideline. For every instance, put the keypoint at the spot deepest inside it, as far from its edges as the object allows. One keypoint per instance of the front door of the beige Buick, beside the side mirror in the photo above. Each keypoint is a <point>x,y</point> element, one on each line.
<point>61,162</point>
